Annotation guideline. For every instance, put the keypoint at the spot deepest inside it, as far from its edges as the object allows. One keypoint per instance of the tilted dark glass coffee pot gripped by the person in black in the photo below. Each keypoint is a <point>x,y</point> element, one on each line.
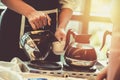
<point>37,44</point>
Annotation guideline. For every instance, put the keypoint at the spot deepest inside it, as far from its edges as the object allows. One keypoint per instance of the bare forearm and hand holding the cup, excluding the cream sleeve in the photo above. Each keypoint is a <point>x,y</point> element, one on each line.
<point>64,17</point>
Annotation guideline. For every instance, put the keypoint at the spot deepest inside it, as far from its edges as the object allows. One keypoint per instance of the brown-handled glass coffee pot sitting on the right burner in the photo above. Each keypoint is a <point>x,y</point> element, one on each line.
<point>79,52</point>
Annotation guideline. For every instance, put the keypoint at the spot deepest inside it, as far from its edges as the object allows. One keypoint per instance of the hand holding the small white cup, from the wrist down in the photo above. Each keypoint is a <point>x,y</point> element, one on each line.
<point>60,34</point>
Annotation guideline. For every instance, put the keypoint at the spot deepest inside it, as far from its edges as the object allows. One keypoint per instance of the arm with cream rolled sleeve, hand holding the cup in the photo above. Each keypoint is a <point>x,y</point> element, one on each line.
<point>64,17</point>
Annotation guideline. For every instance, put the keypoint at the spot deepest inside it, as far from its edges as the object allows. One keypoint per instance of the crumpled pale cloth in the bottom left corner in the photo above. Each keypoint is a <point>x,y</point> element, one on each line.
<point>10,70</point>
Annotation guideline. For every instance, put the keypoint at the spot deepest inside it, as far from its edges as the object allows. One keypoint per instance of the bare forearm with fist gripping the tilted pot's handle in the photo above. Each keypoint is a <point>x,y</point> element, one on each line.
<point>35,18</point>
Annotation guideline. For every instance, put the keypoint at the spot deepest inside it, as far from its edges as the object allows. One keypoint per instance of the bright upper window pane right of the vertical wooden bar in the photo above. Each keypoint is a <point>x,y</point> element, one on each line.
<point>102,9</point>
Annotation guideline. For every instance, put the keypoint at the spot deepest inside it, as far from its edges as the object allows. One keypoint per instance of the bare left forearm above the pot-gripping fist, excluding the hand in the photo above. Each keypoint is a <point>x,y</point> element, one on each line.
<point>22,8</point>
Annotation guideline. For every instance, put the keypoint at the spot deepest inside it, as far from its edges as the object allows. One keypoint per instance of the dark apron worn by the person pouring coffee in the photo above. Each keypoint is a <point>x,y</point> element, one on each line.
<point>10,30</point>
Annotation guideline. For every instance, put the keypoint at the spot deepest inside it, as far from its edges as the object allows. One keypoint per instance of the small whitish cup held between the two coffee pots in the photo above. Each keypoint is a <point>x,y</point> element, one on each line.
<point>58,47</point>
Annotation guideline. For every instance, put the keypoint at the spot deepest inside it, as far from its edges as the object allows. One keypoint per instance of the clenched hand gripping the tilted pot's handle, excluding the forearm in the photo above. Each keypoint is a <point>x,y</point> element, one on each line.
<point>38,19</point>
